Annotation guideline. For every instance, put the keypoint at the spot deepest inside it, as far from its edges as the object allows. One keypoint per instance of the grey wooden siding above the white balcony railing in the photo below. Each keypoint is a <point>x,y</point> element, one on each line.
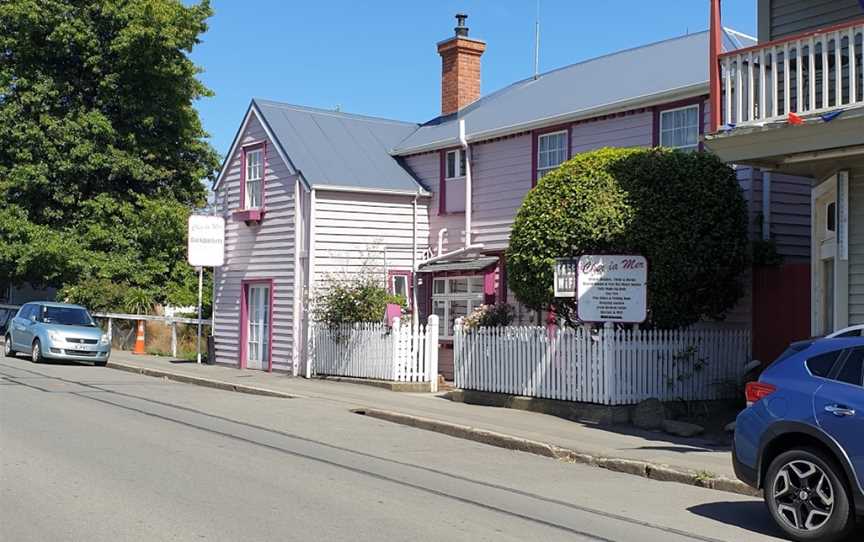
<point>781,18</point>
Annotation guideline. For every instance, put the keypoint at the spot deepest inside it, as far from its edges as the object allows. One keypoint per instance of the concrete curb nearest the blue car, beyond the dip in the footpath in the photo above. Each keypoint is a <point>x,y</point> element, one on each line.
<point>645,469</point>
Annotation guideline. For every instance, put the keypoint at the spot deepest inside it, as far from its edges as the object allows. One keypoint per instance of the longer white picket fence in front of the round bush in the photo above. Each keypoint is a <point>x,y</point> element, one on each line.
<point>610,367</point>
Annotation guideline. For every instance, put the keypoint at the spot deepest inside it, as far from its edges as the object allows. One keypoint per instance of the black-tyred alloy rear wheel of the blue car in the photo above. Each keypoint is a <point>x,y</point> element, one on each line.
<point>807,496</point>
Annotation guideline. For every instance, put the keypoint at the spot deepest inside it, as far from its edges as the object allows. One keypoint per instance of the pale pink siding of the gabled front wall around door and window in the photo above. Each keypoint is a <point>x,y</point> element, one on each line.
<point>263,251</point>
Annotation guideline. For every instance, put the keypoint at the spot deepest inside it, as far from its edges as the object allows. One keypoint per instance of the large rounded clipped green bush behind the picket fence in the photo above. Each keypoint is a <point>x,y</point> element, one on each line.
<point>683,211</point>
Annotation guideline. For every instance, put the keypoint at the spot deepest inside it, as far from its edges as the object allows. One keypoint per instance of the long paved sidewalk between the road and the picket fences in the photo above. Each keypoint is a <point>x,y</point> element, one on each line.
<point>624,449</point>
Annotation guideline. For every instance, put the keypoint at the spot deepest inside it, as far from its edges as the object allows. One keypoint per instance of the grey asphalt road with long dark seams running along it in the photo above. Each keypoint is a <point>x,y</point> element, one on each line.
<point>95,454</point>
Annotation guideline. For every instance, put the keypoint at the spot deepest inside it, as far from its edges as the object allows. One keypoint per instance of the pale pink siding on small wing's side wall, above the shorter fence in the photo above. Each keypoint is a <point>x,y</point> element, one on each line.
<point>352,231</point>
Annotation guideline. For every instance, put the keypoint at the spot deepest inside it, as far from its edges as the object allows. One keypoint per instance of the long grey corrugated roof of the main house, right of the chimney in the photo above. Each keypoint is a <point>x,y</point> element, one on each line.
<point>676,64</point>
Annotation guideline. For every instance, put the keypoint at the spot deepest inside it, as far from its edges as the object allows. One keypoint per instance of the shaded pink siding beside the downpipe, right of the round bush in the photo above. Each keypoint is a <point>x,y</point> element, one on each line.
<point>790,211</point>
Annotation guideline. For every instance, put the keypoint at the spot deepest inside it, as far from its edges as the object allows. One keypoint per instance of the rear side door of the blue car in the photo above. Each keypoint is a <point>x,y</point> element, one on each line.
<point>839,406</point>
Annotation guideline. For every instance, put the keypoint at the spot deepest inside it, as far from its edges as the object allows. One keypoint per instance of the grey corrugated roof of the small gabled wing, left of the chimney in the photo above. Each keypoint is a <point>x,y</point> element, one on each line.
<point>339,149</point>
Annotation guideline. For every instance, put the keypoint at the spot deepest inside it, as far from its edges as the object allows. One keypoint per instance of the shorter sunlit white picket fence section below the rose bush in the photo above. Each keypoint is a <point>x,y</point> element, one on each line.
<point>377,351</point>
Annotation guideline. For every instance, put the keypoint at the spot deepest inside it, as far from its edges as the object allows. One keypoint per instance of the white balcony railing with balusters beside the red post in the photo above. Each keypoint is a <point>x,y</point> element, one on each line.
<point>811,73</point>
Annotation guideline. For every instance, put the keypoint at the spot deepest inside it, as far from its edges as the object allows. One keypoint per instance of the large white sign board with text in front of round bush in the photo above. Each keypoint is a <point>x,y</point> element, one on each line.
<point>612,288</point>
